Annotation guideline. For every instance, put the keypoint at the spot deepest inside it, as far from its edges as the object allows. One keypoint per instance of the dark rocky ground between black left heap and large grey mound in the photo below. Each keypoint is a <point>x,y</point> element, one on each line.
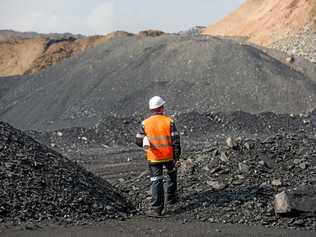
<point>234,165</point>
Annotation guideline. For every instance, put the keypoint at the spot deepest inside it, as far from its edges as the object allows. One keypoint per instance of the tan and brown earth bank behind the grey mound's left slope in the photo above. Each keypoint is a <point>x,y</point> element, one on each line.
<point>28,56</point>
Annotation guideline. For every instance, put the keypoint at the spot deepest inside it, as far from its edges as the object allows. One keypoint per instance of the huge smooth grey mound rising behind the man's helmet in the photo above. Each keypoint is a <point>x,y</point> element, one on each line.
<point>202,74</point>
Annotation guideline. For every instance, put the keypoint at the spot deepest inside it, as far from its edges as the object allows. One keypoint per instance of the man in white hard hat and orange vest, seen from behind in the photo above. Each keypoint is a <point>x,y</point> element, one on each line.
<point>160,138</point>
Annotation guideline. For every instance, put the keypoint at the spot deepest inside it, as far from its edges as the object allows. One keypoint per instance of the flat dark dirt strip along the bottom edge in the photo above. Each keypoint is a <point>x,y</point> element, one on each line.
<point>157,227</point>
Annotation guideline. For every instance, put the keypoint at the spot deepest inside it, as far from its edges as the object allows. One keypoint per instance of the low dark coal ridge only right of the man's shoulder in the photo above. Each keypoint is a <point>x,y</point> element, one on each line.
<point>239,123</point>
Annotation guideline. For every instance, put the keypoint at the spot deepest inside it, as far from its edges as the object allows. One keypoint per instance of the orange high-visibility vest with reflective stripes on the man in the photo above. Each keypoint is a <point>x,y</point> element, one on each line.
<point>158,131</point>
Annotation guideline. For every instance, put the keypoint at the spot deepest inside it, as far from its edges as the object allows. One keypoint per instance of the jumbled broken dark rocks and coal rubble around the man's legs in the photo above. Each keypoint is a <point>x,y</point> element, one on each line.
<point>237,182</point>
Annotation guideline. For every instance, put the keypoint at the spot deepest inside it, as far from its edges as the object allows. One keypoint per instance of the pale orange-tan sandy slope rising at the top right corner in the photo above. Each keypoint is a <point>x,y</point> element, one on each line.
<point>269,21</point>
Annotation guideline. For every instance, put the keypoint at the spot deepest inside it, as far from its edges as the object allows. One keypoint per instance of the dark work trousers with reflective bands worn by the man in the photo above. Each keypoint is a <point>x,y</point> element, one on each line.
<point>157,186</point>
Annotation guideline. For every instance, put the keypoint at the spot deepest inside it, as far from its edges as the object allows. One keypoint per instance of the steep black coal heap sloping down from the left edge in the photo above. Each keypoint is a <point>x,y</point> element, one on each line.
<point>38,184</point>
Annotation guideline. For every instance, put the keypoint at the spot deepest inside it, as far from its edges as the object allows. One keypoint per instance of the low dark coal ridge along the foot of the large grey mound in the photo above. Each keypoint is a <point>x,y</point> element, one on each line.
<point>114,131</point>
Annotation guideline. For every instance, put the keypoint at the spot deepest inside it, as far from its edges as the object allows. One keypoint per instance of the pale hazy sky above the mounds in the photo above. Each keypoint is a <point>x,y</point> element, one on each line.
<point>104,16</point>
